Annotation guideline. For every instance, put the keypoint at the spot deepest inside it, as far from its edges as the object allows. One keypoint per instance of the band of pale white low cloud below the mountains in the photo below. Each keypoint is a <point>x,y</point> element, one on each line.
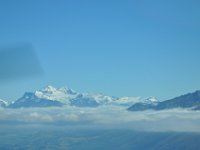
<point>105,117</point>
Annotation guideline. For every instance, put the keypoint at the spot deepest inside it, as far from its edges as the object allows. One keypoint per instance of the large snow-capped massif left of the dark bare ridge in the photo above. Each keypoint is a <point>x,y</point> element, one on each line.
<point>51,96</point>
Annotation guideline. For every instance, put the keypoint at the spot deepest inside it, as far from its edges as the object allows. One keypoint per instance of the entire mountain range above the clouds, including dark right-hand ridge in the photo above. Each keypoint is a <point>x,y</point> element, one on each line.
<point>58,97</point>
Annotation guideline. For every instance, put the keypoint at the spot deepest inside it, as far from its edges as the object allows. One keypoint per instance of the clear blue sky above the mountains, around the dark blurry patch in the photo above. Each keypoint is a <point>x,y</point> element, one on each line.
<point>120,48</point>
